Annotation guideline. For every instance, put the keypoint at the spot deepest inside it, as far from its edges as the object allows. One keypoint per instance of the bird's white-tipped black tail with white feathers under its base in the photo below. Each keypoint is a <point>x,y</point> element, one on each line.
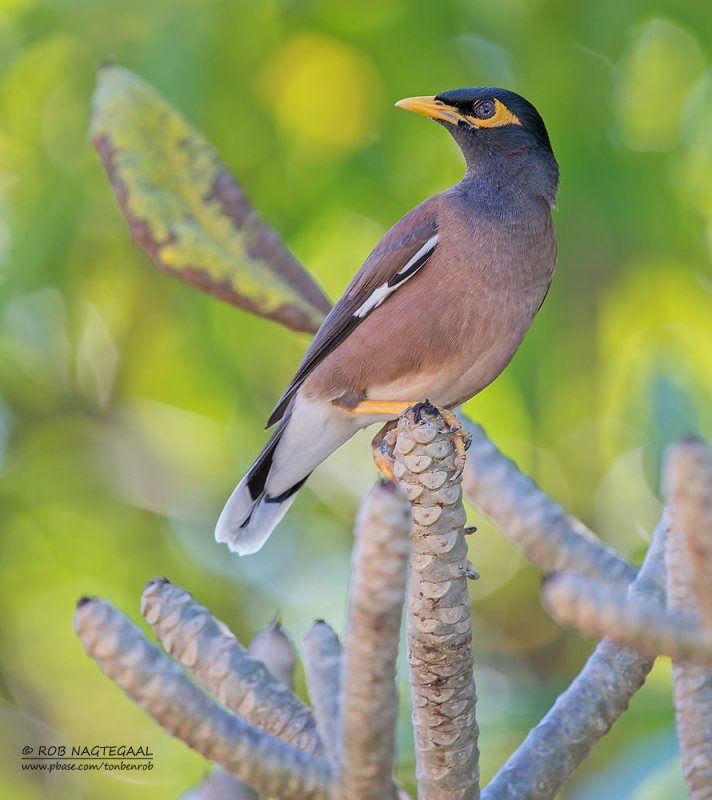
<point>304,439</point>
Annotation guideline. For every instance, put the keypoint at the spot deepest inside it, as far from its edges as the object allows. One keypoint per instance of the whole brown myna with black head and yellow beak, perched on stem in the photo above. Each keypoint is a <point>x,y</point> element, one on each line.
<point>435,313</point>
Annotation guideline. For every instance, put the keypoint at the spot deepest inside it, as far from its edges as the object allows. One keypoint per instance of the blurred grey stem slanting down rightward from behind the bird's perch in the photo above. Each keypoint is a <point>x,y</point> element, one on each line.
<point>538,525</point>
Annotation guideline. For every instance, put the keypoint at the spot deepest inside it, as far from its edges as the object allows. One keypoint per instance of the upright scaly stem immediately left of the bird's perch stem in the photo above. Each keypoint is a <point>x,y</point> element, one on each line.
<point>369,703</point>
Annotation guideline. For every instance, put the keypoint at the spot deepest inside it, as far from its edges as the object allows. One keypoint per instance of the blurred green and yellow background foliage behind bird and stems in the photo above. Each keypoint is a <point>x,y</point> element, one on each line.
<point>130,404</point>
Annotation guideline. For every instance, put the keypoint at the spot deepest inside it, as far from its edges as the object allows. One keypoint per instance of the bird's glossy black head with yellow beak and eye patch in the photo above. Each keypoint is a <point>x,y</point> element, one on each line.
<point>488,122</point>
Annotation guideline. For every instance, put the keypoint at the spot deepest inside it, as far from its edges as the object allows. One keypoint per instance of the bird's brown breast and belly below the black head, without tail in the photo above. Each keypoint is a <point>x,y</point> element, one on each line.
<point>460,319</point>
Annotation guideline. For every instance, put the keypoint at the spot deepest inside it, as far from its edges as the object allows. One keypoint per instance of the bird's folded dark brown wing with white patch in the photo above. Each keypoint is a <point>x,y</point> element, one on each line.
<point>396,258</point>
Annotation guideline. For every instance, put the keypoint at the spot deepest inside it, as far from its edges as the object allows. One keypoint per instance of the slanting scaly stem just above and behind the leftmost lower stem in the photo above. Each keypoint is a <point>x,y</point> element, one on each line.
<point>206,646</point>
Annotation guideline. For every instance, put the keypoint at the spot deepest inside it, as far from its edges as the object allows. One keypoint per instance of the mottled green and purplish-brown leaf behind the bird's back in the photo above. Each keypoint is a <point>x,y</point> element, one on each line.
<point>187,212</point>
